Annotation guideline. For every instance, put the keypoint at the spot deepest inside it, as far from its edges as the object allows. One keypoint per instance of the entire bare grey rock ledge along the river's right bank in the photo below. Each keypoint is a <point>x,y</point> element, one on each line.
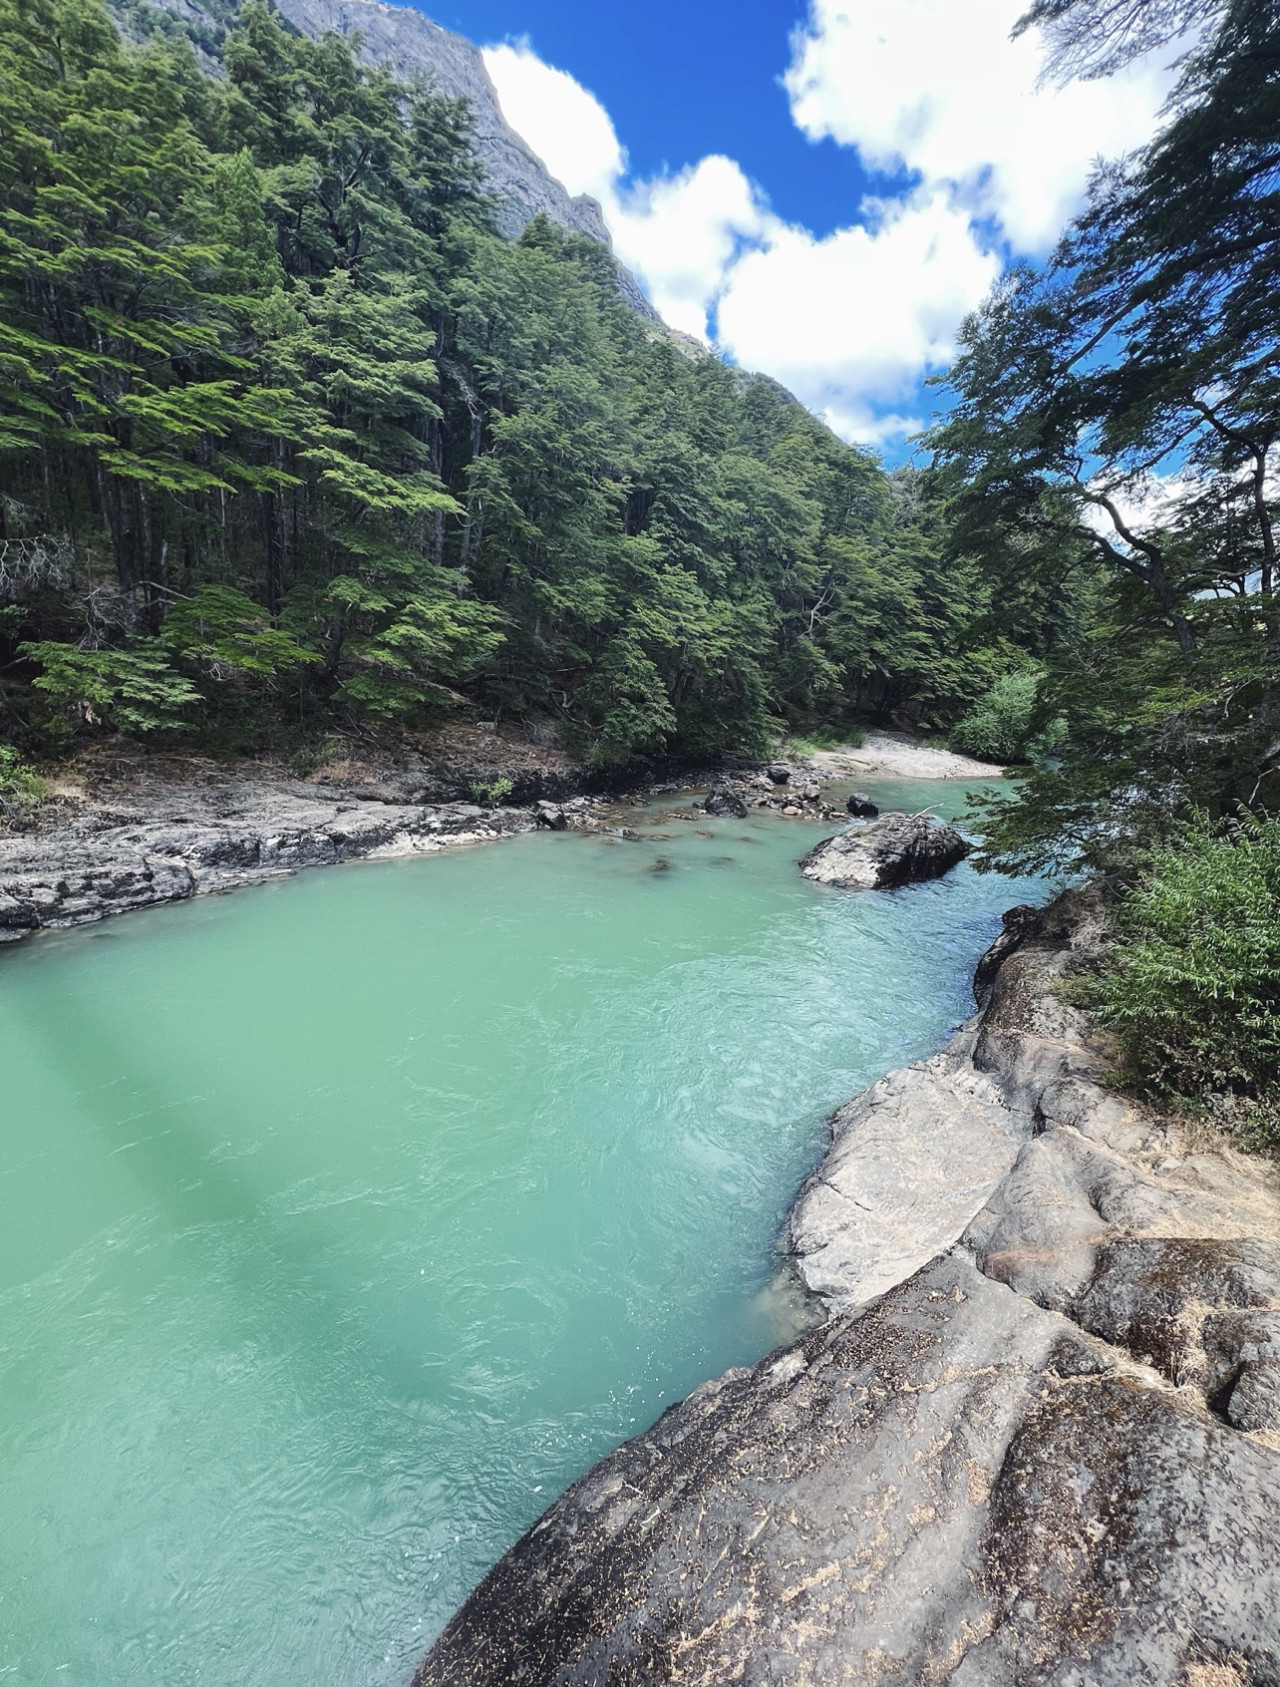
<point>1035,1443</point>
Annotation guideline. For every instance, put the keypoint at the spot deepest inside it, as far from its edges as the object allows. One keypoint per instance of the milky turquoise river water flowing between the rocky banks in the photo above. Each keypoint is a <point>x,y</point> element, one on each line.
<point>347,1221</point>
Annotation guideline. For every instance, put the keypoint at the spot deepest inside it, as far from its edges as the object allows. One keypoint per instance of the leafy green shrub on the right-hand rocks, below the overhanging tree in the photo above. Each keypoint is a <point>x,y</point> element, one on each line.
<point>1193,986</point>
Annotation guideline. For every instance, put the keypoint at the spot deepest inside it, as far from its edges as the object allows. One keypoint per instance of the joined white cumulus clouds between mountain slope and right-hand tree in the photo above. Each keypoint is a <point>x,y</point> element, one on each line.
<point>937,99</point>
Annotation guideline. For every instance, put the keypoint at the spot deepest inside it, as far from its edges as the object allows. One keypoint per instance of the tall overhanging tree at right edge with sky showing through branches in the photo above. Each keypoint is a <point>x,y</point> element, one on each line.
<point>1114,439</point>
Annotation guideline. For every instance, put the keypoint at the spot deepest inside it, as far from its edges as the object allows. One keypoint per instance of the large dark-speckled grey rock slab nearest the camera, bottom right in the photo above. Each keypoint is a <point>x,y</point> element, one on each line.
<point>952,1487</point>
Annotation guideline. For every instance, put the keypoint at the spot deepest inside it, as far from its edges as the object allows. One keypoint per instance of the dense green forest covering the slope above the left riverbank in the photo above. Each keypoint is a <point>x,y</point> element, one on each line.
<point>291,436</point>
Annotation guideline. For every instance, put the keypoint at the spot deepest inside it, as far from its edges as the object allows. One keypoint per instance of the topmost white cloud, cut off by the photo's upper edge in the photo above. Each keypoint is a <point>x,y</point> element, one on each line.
<point>937,87</point>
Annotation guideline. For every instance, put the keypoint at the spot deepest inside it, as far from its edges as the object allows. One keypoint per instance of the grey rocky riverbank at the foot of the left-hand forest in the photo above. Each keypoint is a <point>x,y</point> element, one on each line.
<point>131,831</point>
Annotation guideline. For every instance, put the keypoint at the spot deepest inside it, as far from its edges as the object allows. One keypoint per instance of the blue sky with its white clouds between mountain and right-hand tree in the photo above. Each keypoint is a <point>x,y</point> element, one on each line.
<point>820,190</point>
